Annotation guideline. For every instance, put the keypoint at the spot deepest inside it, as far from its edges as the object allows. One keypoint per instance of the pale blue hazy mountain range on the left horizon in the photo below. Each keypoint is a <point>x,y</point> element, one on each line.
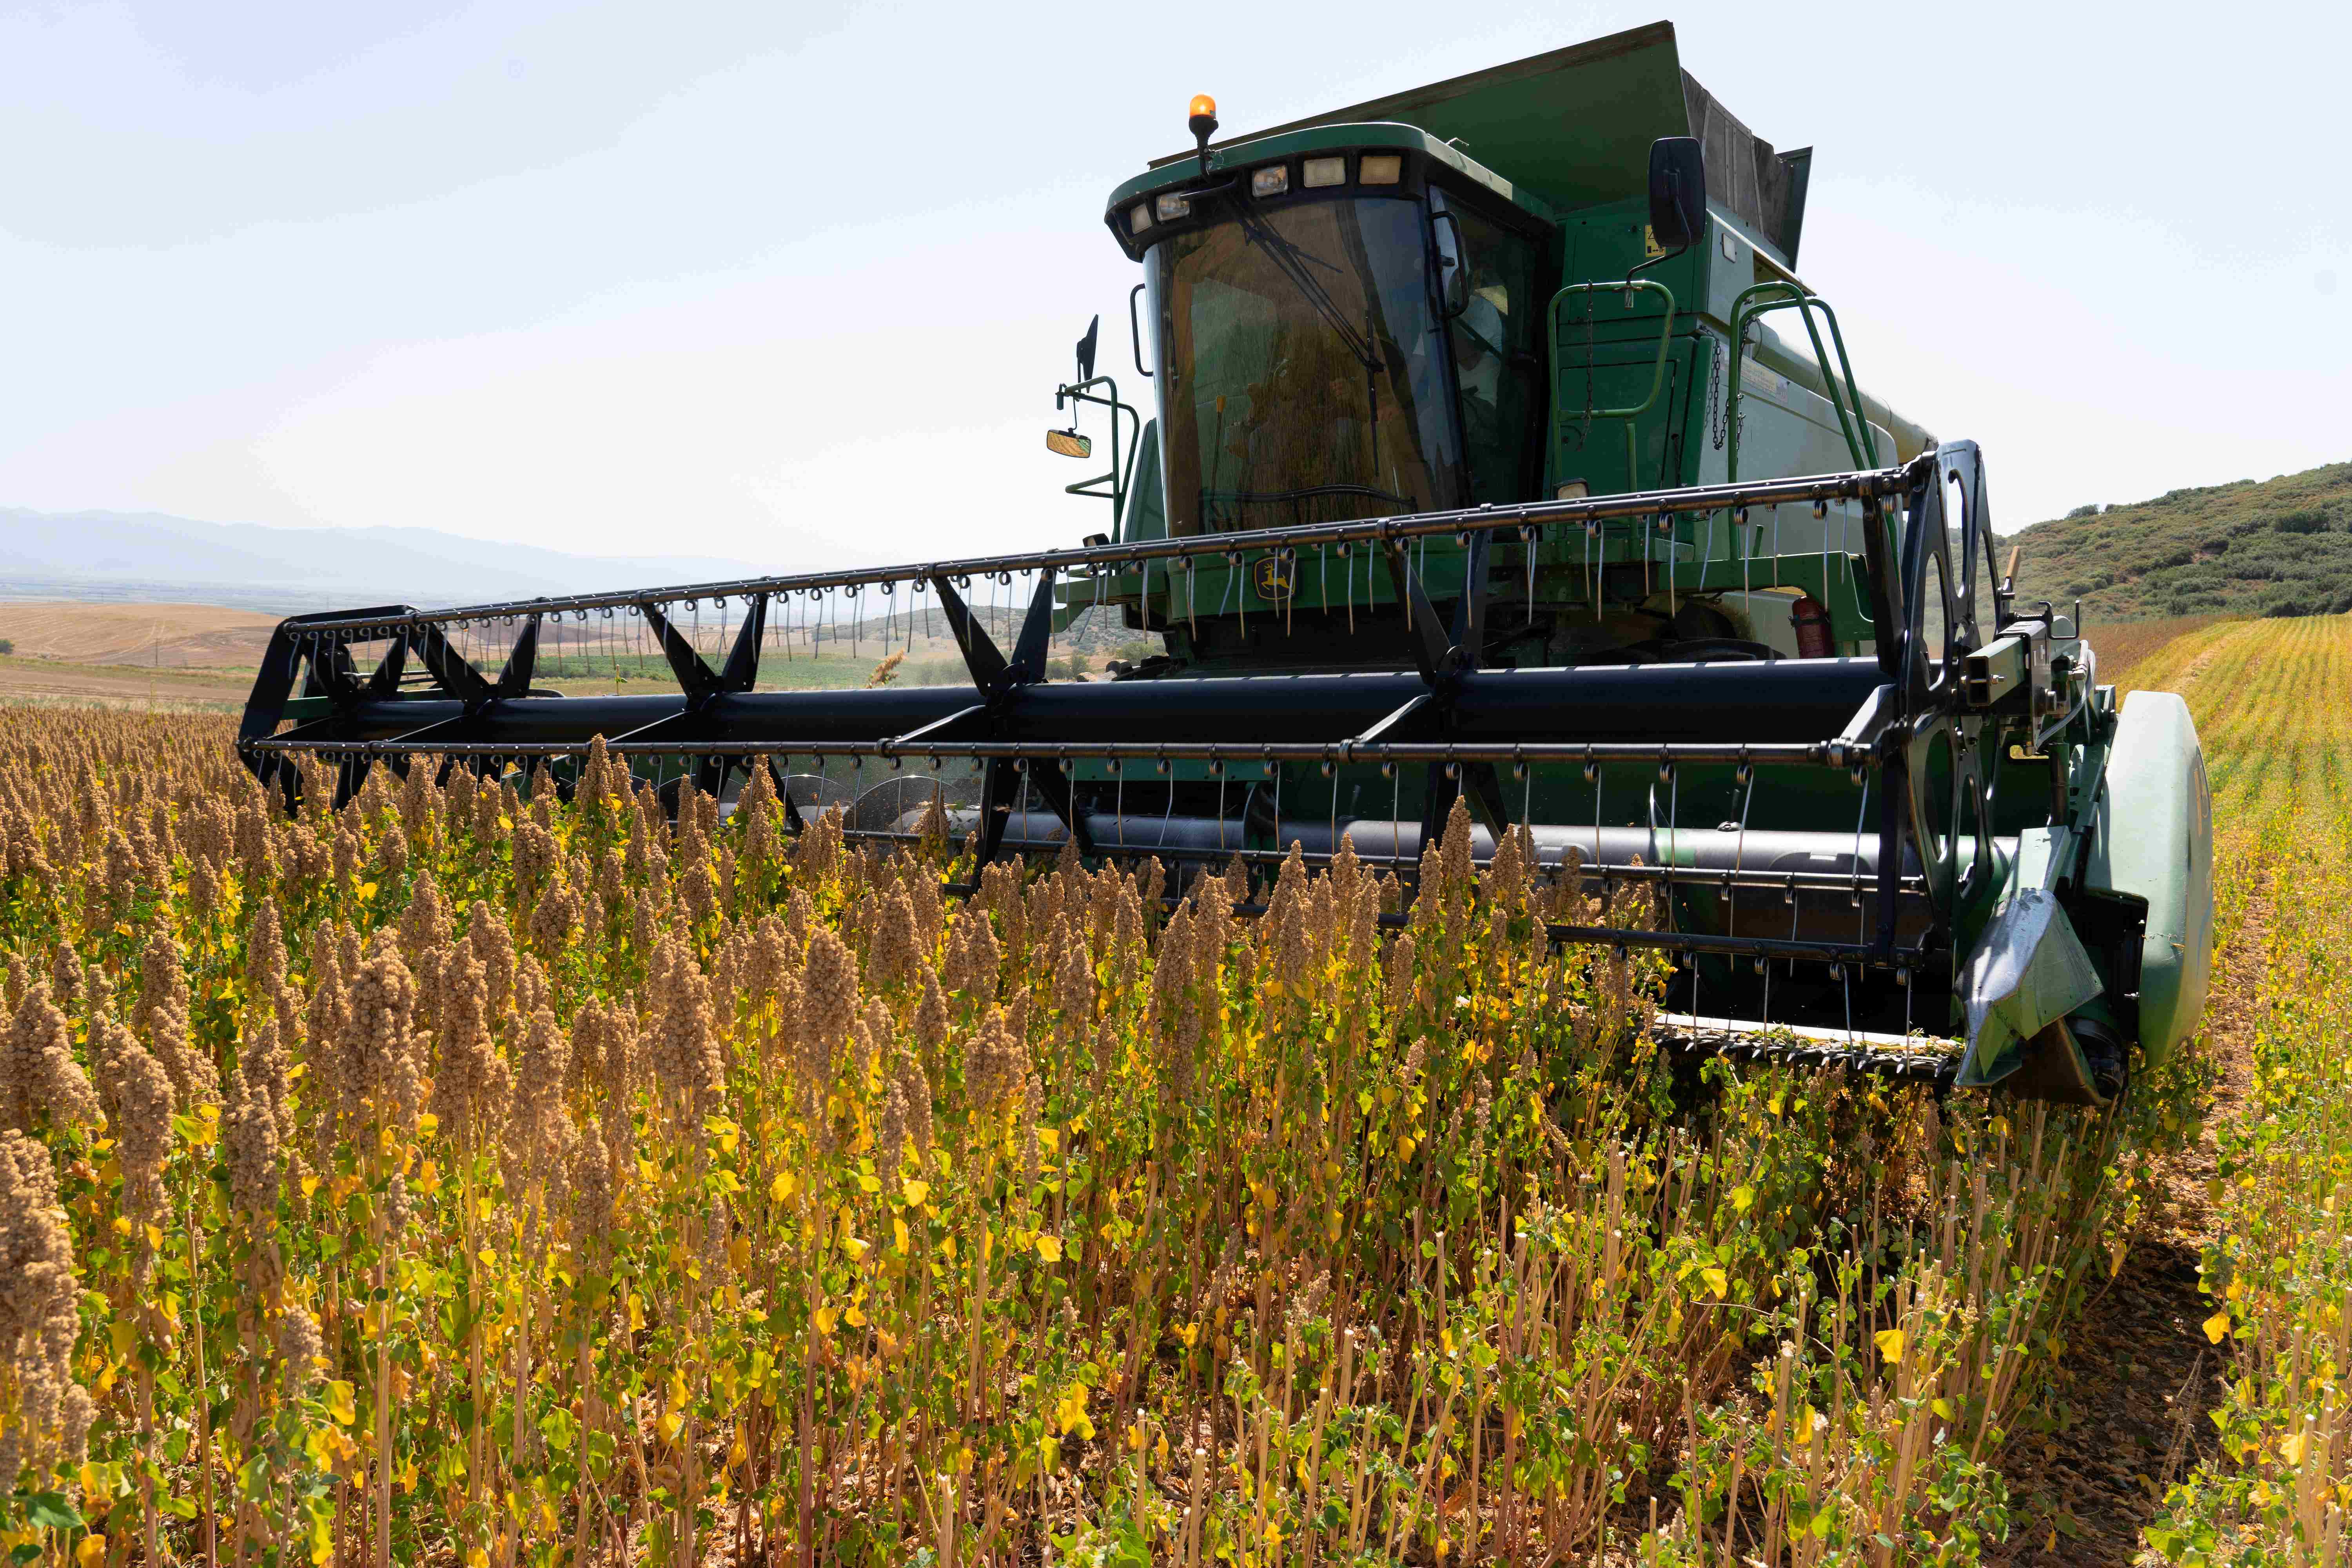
<point>147,556</point>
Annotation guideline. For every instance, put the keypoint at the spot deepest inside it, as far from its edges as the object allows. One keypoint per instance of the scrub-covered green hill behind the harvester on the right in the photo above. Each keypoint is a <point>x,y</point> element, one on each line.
<point>2250,549</point>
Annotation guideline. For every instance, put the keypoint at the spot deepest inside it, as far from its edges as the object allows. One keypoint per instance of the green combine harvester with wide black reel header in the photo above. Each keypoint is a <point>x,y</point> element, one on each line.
<point>1495,455</point>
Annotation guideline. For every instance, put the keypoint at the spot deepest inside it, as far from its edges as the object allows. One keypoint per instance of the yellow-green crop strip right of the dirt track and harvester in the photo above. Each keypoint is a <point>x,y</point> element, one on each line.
<point>2280,1266</point>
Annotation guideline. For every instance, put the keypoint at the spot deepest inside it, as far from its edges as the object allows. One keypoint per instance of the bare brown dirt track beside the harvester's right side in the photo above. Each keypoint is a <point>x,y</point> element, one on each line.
<point>2139,1372</point>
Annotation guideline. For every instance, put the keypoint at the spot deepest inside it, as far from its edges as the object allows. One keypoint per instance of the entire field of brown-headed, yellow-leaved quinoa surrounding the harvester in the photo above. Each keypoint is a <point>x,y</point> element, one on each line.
<point>490,1181</point>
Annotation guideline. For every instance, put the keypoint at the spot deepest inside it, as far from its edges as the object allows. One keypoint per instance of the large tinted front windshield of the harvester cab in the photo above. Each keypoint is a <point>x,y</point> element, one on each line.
<point>1307,368</point>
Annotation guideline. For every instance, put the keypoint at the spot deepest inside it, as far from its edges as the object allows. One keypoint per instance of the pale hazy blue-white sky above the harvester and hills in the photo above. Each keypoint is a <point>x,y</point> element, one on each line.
<point>794,283</point>
